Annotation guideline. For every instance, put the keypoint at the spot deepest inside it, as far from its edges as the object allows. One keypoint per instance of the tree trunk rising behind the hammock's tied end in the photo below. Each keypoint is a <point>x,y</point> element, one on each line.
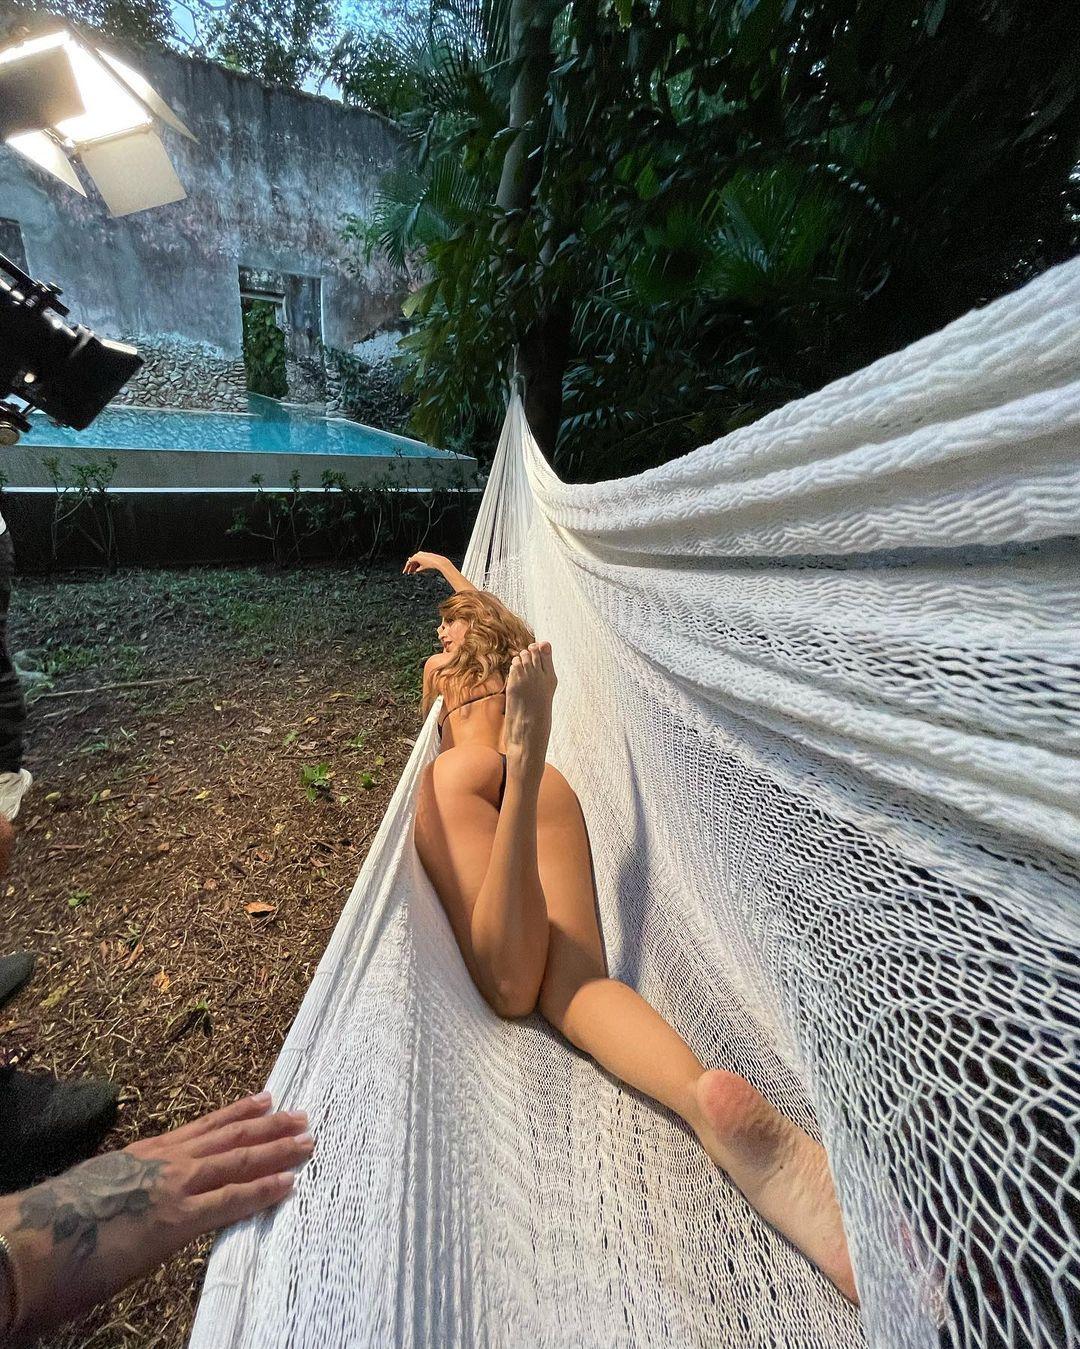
<point>544,347</point>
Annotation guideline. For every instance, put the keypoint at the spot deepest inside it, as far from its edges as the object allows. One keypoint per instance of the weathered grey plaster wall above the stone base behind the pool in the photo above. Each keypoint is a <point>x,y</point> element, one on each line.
<point>269,181</point>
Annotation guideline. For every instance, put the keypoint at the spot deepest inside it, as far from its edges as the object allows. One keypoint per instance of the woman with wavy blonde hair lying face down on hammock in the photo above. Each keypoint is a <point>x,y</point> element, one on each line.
<point>502,837</point>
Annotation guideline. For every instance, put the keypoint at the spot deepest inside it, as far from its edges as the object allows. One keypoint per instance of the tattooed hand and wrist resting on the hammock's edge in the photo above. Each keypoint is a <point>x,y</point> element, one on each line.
<point>80,1238</point>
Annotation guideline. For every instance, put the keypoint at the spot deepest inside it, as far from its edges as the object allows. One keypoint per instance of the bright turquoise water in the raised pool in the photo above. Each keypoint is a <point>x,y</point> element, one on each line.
<point>269,428</point>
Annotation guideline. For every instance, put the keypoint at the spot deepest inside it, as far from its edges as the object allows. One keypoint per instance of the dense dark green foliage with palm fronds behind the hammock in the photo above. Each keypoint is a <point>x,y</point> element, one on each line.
<point>729,204</point>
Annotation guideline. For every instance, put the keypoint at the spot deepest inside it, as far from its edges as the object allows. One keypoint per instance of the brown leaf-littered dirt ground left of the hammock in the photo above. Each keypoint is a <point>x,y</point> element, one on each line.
<point>188,844</point>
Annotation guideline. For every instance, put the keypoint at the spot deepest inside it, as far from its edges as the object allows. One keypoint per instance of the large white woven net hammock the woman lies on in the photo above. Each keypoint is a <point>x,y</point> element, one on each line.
<point>819,697</point>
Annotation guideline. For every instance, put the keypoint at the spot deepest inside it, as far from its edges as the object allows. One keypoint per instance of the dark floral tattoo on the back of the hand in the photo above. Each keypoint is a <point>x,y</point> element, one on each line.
<point>78,1204</point>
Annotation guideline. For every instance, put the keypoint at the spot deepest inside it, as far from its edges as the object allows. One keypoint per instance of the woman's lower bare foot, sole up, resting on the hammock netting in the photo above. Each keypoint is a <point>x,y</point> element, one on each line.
<point>781,1170</point>
